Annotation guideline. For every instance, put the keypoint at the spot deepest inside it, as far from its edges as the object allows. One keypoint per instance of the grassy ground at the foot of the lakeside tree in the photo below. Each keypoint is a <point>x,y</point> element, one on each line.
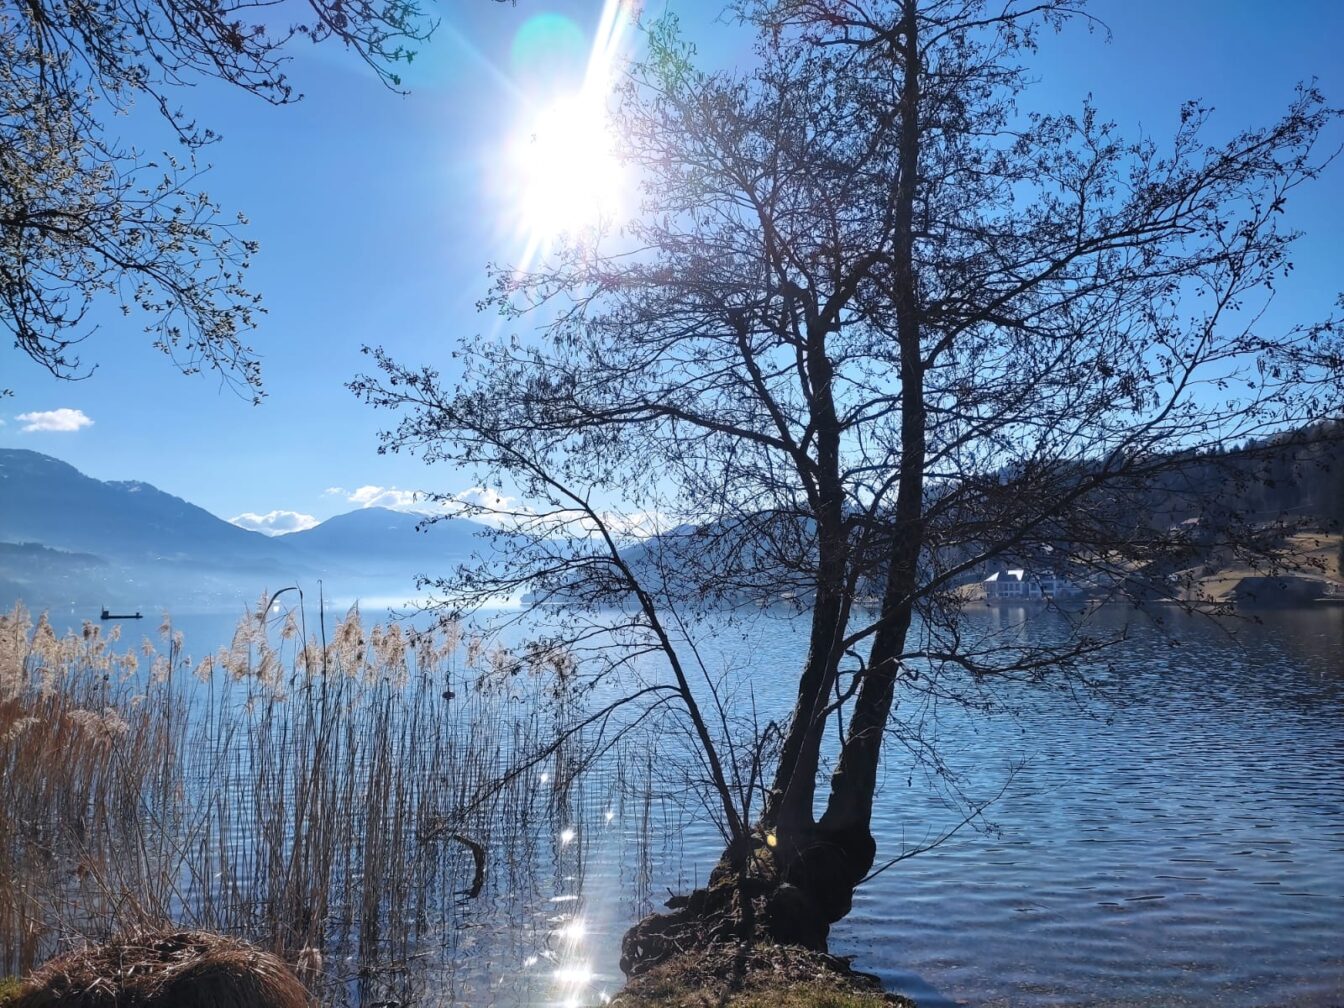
<point>763,976</point>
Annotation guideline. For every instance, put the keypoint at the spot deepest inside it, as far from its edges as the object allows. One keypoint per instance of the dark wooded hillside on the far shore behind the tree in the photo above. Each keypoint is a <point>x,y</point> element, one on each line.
<point>1214,519</point>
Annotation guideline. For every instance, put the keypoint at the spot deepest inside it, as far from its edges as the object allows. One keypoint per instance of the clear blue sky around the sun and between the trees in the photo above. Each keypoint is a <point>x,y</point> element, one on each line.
<point>377,214</point>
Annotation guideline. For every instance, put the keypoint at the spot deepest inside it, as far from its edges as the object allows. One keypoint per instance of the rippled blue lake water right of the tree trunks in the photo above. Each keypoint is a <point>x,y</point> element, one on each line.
<point>1179,846</point>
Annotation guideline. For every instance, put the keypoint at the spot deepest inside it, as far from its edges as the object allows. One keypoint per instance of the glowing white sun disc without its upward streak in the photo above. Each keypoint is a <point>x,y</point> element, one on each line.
<point>566,170</point>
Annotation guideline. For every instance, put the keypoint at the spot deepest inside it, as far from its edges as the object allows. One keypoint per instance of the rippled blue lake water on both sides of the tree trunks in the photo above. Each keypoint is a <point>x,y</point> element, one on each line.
<point>1175,837</point>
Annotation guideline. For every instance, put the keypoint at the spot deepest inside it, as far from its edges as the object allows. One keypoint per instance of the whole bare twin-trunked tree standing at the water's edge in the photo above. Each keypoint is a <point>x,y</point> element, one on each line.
<point>874,333</point>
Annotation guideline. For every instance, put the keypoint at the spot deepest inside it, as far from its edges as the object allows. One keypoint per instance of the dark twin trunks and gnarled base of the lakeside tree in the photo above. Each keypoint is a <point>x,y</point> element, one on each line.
<point>795,877</point>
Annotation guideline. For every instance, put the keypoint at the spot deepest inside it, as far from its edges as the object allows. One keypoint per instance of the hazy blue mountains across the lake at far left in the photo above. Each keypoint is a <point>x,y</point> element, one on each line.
<point>72,542</point>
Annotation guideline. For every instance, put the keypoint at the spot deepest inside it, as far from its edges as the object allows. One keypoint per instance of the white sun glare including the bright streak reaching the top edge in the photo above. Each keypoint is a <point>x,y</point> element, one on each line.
<point>566,177</point>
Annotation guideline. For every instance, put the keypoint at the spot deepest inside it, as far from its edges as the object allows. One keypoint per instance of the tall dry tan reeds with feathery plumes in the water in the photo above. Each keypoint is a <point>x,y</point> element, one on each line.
<point>314,794</point>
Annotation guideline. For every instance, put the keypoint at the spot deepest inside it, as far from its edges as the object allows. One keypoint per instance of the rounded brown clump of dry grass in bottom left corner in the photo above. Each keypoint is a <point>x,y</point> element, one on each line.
<point>158,970</point>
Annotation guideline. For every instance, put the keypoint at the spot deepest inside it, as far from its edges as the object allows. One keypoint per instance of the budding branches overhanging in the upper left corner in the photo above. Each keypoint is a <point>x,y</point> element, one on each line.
<point>87,218</point>
